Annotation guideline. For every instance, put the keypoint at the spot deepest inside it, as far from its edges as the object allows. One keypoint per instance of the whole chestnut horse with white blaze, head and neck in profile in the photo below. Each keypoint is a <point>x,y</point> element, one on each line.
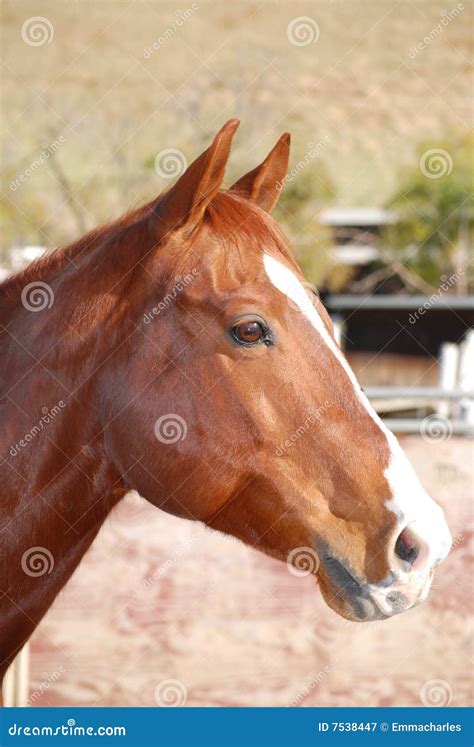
<point>178,352</point>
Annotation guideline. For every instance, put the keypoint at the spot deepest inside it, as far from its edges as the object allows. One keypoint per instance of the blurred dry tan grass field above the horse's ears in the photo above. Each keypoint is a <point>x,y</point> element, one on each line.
<point>120,80</point>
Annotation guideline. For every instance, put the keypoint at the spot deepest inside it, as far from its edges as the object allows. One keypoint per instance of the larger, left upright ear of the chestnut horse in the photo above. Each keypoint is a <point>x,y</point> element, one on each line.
<point>186,202</point>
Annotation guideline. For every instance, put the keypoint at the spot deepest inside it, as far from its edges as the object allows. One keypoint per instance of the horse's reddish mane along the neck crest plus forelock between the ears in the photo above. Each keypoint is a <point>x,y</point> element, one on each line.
<point>232,216</point>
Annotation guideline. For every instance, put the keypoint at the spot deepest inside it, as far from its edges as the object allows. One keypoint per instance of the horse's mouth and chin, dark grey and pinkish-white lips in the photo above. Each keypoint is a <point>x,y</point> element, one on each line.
<point>358,600</point>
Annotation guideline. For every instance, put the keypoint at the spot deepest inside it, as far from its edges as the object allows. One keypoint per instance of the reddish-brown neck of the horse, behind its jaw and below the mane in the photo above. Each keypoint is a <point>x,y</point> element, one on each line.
<point>57,482</point>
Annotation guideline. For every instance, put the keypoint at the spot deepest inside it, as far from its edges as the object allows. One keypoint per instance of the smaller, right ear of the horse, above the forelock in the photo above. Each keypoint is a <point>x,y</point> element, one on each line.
<point>263,184</point>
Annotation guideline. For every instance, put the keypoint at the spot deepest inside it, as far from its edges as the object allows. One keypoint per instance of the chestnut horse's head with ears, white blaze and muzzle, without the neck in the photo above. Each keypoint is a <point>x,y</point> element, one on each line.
<point>241,410</point>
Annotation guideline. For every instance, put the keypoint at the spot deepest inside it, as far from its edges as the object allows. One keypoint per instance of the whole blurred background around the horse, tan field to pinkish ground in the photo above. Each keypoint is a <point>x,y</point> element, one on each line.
<point>104,103</point>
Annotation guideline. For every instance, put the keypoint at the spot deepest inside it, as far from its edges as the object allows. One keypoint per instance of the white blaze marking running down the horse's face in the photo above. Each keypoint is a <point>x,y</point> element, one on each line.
<point>409,501</point>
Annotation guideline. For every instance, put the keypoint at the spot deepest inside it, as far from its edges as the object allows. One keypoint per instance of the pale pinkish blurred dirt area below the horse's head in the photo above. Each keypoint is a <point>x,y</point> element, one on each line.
<point>159,598</point>
